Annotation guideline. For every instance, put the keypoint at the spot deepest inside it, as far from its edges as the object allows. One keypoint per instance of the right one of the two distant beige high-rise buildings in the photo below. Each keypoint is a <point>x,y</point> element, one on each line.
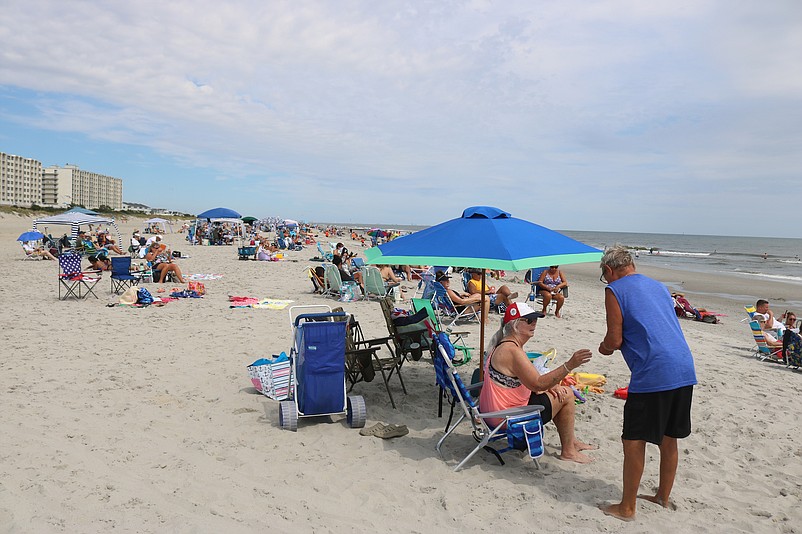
<point>62,186</point>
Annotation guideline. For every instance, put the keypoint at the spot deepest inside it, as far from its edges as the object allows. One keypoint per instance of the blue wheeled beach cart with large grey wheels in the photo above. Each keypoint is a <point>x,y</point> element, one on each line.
<point>317,361</point>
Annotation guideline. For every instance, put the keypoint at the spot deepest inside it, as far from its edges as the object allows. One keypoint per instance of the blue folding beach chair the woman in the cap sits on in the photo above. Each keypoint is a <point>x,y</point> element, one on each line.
<point>521,427</point>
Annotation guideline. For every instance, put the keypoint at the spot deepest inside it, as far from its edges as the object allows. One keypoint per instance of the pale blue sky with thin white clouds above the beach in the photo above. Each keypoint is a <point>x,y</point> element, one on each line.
<point>675,116</point>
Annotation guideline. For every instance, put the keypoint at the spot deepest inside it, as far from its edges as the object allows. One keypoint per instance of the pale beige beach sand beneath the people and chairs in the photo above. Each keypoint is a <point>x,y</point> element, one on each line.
<point>144,420</point>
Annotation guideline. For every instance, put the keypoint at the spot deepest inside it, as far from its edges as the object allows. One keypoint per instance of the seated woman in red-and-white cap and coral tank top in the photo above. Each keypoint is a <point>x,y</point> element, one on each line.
<point>511,380</point>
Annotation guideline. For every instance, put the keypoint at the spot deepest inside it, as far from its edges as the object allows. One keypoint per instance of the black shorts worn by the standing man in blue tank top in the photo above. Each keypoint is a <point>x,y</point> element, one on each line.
<point>650,416</point>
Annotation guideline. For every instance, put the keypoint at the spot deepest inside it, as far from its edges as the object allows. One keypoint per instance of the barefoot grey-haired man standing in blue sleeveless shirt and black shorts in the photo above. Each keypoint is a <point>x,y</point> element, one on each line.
<point>641,323</point>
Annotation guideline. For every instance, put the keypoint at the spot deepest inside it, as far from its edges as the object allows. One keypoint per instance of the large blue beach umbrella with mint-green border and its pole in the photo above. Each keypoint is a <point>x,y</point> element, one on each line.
<point>484,237</point>
